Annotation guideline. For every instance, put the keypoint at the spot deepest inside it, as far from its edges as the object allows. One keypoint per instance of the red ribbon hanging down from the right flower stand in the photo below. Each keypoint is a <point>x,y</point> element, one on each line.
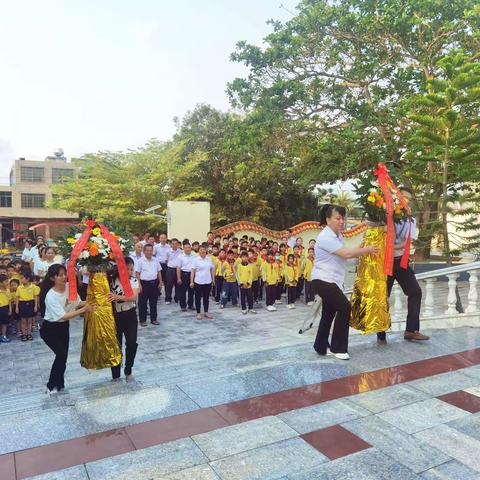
<point>383,178</point>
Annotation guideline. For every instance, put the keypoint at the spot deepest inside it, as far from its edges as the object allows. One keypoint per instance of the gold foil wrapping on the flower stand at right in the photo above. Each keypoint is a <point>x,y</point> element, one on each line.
<point>370,310</point>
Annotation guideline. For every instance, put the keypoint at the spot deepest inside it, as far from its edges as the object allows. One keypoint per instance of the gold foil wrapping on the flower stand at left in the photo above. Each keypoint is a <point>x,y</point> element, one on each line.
<point>100,347</point>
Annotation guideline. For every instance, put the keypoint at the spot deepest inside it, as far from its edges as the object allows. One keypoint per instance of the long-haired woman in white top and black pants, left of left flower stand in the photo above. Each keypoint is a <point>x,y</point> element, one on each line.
<point>57,311</point>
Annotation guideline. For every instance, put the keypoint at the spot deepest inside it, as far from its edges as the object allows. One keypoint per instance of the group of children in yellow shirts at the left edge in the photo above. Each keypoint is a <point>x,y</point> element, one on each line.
<point>19,290</point>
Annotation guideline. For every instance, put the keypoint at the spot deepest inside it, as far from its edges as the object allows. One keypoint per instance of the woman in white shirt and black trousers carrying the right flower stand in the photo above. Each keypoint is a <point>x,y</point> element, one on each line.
<point>328,276</point>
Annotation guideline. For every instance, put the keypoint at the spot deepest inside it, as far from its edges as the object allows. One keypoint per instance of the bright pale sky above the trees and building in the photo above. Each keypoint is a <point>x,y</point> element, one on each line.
<point>110,74</point>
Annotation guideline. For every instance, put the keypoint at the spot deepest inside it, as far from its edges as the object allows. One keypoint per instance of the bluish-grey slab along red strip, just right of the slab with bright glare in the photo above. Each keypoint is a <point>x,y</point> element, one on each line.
<point>216,391</point>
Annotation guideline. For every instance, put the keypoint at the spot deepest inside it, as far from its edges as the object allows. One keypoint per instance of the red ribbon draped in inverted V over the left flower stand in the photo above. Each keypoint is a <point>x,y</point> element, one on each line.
<point>80,245</point>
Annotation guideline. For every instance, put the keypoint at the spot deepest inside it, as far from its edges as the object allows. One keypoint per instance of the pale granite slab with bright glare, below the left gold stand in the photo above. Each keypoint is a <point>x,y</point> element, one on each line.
<point>135,407</point>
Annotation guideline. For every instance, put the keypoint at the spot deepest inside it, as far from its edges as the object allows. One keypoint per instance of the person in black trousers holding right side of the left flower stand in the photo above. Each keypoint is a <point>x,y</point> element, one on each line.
<point>125,313</point>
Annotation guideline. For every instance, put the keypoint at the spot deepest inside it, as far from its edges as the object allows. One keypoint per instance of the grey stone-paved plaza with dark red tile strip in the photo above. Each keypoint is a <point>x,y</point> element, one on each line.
<point>246,397</point>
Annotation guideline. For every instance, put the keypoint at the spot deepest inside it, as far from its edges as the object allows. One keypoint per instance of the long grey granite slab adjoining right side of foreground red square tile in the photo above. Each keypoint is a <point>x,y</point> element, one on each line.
<point>411,452</point>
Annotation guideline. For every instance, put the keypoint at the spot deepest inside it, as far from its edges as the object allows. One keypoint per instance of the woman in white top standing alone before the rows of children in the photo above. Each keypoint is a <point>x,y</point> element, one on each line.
<point>201,279</point>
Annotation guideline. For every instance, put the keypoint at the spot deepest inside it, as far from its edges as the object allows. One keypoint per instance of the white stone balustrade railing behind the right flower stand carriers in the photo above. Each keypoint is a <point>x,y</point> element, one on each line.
<point>439,303</point>
